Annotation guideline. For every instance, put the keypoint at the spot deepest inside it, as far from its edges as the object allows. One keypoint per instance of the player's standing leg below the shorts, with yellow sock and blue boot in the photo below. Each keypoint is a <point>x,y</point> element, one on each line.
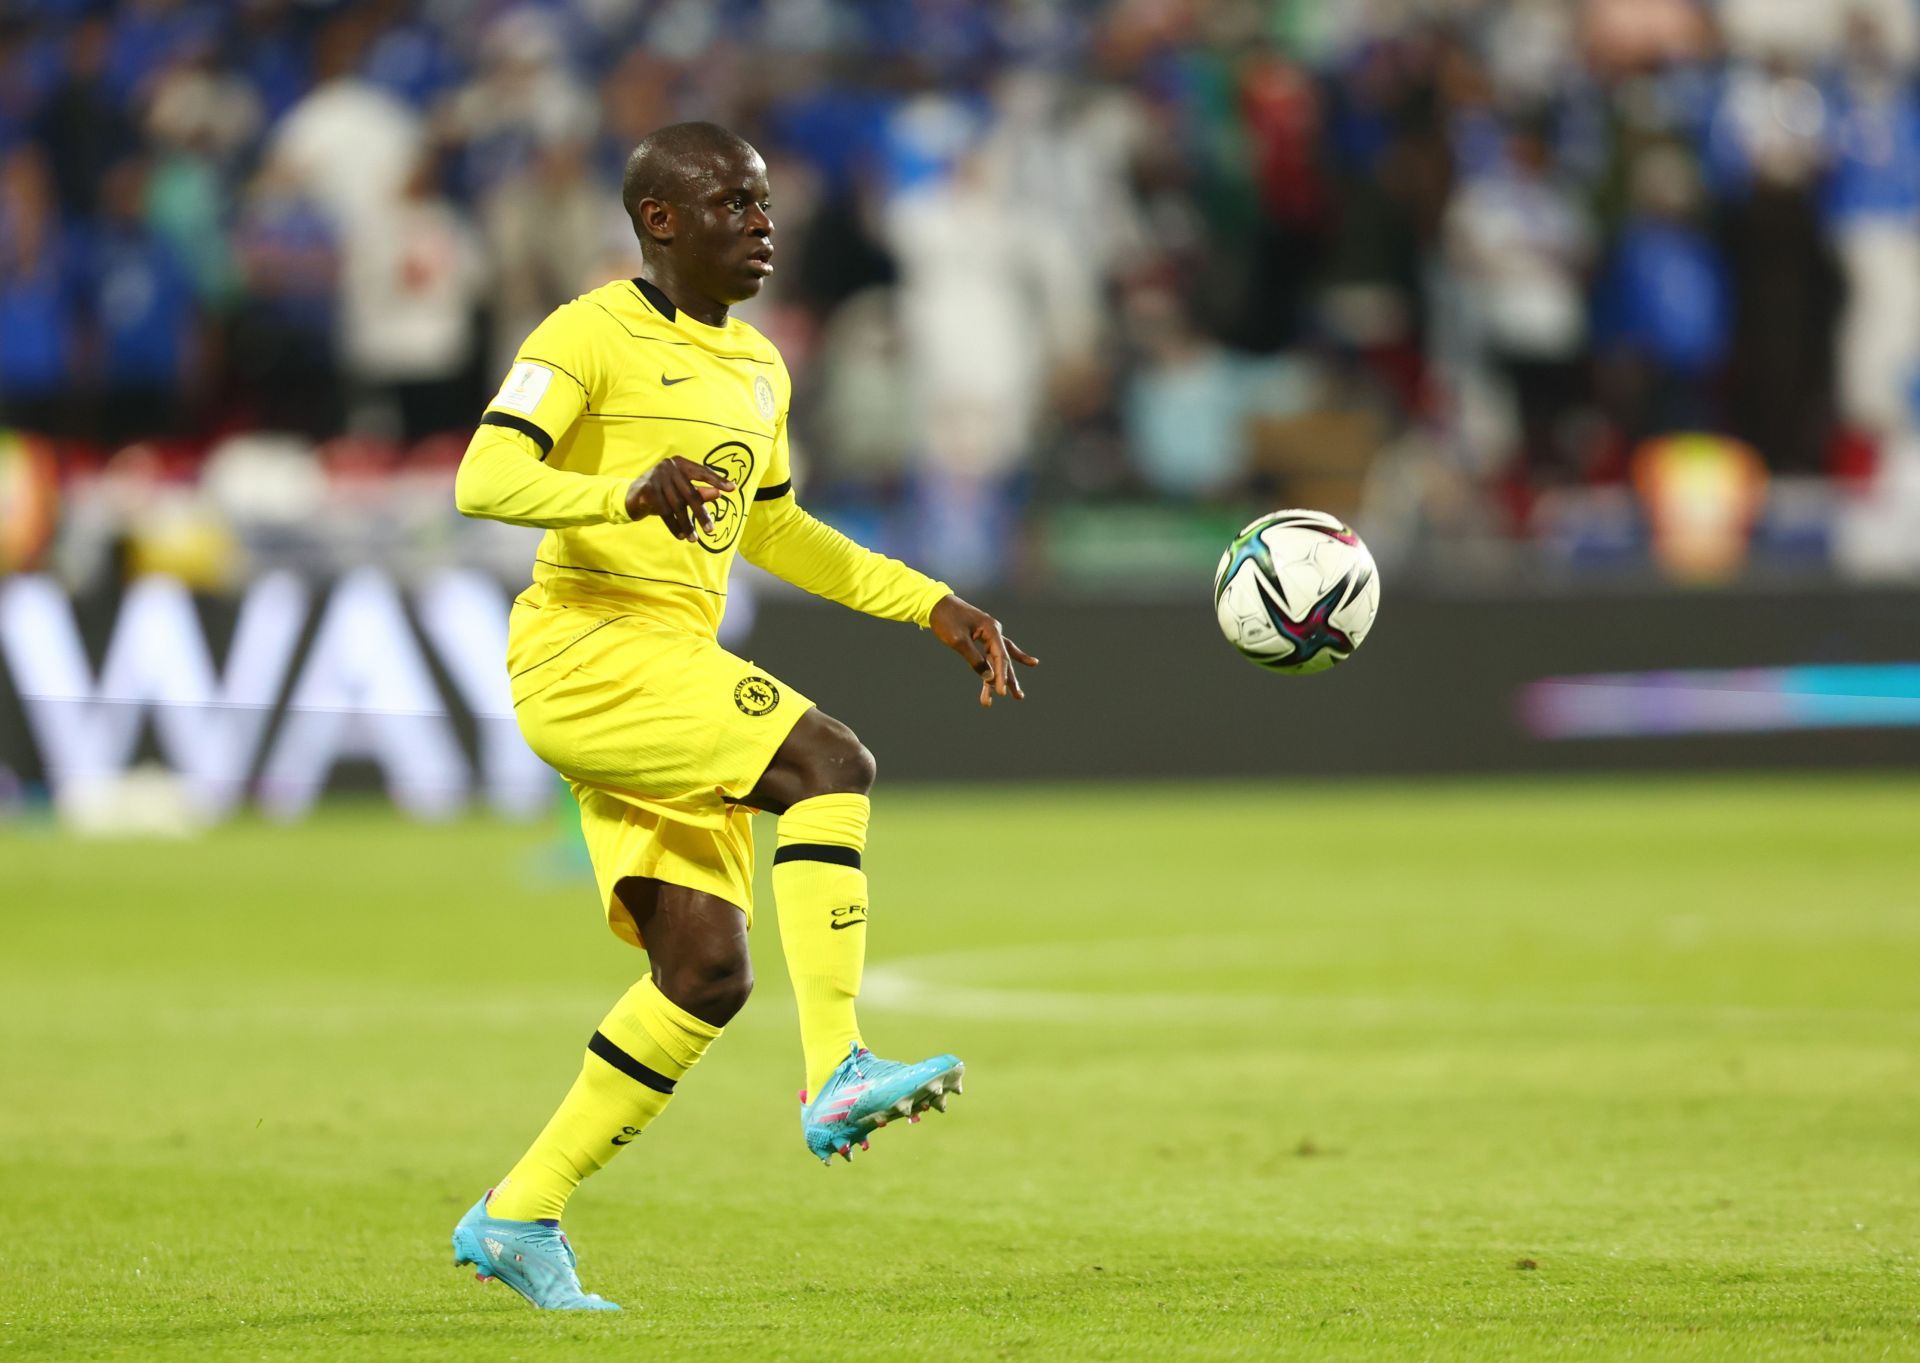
<point>636,1059</point>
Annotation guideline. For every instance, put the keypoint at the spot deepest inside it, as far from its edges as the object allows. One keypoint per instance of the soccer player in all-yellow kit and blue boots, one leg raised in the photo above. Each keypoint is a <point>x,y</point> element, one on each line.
<point>646,429</point>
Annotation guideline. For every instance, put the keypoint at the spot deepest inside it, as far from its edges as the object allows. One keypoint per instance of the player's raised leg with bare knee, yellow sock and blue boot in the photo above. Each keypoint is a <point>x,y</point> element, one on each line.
<point>819,784</point>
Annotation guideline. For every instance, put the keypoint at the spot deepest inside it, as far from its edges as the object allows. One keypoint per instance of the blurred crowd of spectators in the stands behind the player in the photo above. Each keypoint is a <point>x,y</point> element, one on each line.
<point>1445,254</point>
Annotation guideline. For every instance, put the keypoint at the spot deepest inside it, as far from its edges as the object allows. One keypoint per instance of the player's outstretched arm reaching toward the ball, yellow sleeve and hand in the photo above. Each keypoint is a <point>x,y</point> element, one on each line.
<point>817,558</point>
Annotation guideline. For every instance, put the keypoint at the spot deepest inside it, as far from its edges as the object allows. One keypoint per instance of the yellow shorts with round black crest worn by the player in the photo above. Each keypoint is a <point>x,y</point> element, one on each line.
<point>660,732</point>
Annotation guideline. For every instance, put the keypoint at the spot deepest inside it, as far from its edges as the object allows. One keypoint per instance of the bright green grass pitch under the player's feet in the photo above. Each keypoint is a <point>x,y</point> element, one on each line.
<point>1616,1070</point>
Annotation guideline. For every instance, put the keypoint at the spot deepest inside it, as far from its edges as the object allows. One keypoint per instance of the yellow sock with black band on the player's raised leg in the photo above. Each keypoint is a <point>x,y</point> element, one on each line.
<point>821,894</point>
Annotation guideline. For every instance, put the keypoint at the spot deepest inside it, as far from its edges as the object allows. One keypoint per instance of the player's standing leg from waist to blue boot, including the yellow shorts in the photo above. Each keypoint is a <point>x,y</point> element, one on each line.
<point>648,725</point>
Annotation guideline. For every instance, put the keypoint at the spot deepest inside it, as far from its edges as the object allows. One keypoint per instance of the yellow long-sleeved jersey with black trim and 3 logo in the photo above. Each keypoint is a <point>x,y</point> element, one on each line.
<point>606,389</point>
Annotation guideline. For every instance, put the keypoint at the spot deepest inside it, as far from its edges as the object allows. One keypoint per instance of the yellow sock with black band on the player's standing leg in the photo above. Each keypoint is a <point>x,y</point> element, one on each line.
<point>642,1049</point>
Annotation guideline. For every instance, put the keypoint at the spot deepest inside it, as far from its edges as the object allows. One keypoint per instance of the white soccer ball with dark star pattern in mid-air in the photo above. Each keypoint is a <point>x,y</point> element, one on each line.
<point>1297,592</point>
